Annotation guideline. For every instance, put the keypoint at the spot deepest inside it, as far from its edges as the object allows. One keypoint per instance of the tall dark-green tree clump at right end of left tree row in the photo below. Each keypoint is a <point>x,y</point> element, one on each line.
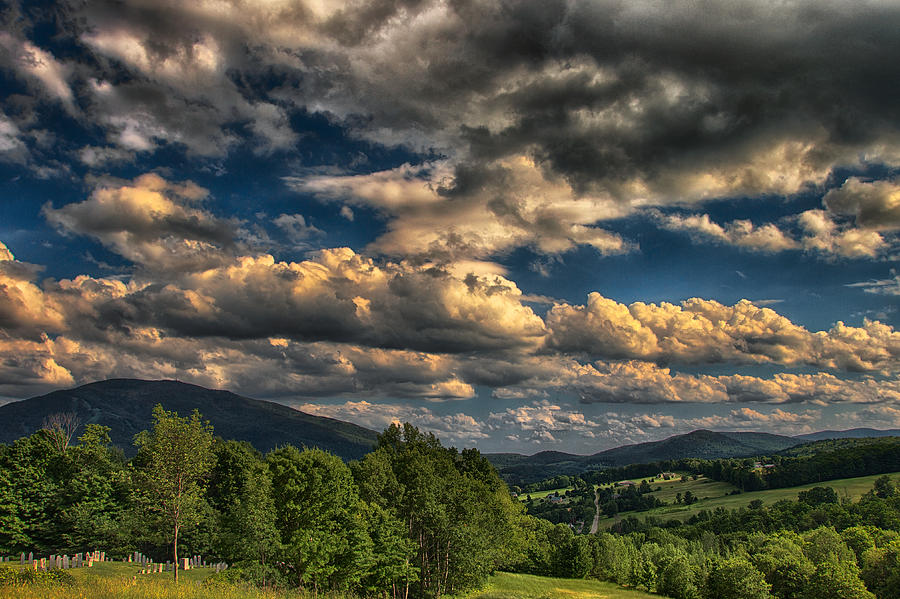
<point>454,506</point>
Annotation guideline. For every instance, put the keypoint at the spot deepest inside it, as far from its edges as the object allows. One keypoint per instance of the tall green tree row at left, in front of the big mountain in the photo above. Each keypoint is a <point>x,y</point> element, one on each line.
<point>410,519</point>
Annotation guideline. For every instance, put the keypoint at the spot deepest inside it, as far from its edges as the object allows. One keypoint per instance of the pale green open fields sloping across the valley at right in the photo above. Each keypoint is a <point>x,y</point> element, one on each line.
<point>852,488</point>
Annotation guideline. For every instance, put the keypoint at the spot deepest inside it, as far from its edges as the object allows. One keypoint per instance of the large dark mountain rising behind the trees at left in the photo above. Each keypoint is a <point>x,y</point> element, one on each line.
<point>125,405</point>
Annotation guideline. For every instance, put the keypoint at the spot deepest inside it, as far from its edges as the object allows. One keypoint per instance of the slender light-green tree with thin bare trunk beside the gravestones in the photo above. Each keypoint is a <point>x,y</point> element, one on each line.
<point>174,460</point>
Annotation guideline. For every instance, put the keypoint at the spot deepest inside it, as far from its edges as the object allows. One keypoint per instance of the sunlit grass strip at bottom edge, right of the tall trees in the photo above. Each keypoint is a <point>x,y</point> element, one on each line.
<point>524,586</point>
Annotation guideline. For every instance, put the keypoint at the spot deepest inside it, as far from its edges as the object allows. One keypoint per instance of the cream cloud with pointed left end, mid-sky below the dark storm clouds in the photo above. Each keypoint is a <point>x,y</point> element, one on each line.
<point>461,215</point>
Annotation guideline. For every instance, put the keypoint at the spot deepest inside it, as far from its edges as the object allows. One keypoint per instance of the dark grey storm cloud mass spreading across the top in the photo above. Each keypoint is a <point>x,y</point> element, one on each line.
<point>639,100</point>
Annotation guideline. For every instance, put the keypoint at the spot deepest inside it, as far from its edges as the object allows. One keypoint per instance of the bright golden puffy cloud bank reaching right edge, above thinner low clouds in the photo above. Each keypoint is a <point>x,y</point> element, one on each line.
<point>705,331</point>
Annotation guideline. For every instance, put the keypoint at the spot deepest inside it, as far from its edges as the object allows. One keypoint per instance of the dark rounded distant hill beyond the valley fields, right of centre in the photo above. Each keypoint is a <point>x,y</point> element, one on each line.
<point>521,469</point>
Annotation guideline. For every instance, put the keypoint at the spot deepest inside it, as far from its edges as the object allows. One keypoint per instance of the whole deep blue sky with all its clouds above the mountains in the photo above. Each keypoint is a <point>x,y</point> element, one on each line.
<point>523,226</point>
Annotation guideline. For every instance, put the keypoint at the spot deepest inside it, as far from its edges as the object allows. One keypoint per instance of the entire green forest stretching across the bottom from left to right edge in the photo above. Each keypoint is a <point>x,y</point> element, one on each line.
<point>416,519</point>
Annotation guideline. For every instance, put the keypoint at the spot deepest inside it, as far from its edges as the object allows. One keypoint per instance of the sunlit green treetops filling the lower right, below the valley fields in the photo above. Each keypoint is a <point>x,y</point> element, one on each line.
<point>813,547</point>
